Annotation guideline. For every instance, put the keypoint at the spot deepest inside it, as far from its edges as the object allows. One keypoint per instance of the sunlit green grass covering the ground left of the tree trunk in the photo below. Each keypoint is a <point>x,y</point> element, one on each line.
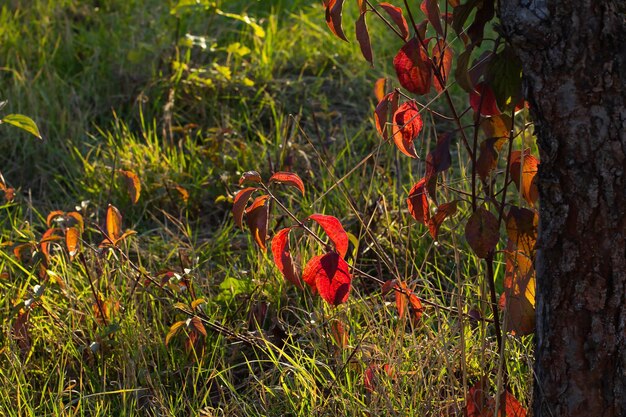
<point>120,86</point>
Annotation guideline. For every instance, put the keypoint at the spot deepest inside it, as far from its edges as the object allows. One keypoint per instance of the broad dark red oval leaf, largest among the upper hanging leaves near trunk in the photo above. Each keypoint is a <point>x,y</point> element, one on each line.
<point>413,67</point>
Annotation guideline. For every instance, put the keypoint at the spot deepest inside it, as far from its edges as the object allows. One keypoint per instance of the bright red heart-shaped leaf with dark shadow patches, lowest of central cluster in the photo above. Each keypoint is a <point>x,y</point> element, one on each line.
<point>331,276</point>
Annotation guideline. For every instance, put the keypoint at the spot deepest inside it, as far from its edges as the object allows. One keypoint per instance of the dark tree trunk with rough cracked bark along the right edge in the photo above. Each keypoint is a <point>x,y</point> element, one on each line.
<point>574,61</point>
